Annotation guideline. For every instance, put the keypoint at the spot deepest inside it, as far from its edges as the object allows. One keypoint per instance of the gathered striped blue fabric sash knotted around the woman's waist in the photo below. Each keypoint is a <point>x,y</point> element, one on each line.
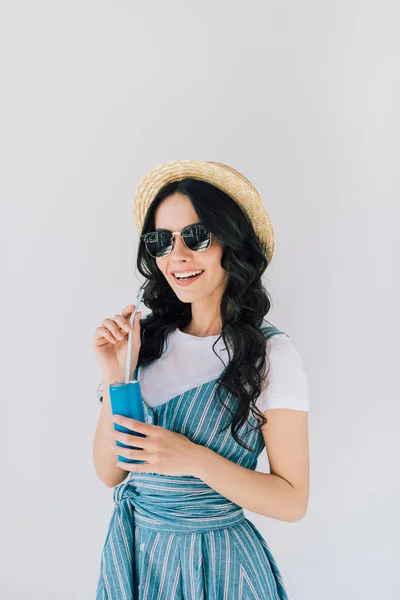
<point>176,504</point>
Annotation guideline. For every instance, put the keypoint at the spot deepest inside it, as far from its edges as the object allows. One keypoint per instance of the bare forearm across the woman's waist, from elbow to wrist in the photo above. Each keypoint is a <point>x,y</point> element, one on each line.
<point>262,493</point>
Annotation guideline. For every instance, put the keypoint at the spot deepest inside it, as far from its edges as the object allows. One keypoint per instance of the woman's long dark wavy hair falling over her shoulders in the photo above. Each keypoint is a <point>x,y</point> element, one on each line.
<point>244,304</point>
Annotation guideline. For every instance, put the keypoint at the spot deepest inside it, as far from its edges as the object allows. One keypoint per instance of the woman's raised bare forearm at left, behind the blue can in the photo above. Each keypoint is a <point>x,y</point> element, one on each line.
<point>103,457</point>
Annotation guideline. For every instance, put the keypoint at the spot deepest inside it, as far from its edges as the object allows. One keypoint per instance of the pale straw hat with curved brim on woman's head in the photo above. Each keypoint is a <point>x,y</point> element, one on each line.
<point>223,177</point>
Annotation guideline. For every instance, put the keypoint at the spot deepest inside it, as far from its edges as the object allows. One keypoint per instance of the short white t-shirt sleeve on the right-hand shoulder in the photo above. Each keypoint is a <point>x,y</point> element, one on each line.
<point>287,381</point>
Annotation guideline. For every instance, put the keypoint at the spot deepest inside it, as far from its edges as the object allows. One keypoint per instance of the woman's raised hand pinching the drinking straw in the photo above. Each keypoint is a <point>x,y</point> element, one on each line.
<point>110,343</point>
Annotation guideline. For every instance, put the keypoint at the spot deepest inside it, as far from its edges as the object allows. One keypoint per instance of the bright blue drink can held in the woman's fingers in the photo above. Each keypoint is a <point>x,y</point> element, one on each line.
<point>126,400</point>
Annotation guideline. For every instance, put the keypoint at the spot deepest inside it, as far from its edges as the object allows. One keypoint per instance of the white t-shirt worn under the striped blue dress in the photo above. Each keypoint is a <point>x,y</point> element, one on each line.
<point>189,361</point>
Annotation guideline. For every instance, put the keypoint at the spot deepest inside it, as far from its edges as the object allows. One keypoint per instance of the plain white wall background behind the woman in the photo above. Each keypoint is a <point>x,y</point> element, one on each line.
<point>302,98</point>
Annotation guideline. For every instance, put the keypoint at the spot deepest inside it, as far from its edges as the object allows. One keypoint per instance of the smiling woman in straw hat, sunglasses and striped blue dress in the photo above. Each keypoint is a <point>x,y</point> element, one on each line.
<point>178,528</point>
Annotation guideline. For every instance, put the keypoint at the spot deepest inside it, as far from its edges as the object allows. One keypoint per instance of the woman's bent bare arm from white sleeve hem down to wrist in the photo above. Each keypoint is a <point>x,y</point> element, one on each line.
<point>281,494</point>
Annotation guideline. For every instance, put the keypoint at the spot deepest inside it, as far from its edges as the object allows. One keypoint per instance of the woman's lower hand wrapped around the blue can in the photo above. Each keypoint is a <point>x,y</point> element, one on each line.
<point>165,452</point>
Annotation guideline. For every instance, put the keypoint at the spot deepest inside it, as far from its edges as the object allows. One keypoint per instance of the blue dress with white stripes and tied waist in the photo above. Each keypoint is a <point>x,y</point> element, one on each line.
<point>175,537</point>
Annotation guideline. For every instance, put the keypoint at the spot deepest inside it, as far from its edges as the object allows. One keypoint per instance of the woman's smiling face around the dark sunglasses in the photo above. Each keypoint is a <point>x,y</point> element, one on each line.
<point>174,213</point>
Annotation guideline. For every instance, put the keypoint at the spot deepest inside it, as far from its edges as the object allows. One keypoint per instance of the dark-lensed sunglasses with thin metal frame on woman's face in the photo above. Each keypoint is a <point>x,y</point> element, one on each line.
<point>159,243</point>
